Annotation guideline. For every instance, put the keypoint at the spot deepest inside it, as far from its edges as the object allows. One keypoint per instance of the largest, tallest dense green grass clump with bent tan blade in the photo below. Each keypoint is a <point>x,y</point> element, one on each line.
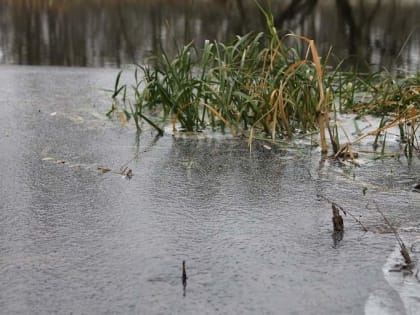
<point>254,84</point>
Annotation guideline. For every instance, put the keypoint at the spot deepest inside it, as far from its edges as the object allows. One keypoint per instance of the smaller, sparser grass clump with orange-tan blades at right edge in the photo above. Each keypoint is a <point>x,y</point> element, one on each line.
<point>396,101</point>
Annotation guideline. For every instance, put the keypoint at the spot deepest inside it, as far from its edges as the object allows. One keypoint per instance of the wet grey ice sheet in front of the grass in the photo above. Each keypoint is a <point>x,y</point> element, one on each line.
<point>254,234</point>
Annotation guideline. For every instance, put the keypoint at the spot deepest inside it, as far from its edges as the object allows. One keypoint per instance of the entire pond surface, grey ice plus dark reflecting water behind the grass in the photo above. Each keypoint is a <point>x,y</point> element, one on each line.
<point>79,236</point>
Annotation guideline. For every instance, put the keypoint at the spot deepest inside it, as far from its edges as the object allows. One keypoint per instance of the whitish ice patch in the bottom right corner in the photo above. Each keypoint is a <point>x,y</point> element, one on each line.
<point>405,296</point>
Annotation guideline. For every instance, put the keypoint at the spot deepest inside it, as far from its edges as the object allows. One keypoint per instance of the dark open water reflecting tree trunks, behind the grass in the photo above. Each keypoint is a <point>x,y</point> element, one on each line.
<point>112,33</point>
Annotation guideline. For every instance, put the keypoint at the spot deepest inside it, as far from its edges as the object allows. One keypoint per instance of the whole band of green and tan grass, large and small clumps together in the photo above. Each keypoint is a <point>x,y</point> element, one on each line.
<point>259,84</point>
